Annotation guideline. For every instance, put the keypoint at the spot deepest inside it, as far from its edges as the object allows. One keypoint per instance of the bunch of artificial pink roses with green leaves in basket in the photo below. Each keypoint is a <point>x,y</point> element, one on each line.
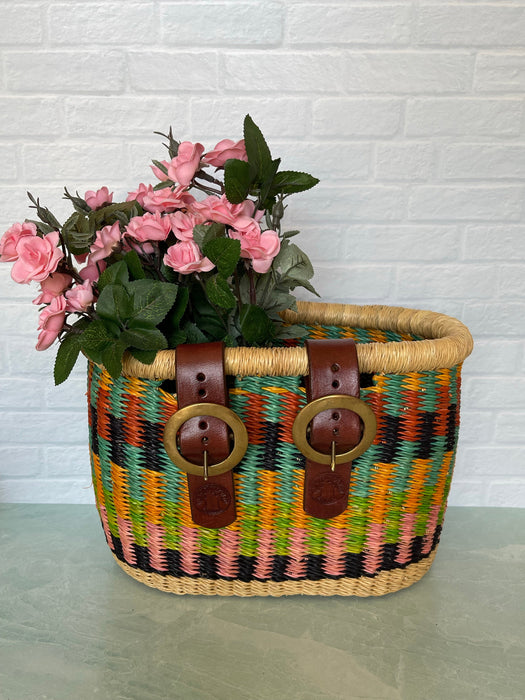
<point>164,267</point>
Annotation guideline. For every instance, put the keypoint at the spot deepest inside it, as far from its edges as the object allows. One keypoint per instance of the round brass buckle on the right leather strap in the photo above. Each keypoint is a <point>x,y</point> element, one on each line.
<point>333,401</point>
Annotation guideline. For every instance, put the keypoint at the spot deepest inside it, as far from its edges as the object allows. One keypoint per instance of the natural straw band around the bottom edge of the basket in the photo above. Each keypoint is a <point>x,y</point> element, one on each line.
<point>364,586</point>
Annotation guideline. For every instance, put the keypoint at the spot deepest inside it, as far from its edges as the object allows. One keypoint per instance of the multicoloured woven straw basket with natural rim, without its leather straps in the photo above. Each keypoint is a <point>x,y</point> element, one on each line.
<point>386,539</point>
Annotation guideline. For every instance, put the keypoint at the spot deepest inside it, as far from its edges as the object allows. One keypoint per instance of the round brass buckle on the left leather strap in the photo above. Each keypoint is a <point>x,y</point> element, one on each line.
<point>240,436</point>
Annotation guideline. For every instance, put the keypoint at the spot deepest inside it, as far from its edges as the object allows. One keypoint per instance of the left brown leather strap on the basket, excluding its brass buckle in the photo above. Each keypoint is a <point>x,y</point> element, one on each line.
<point>200,379</point>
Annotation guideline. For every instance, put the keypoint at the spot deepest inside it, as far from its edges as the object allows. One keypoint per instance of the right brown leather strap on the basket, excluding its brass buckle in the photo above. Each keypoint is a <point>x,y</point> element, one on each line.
<point>333,370</point>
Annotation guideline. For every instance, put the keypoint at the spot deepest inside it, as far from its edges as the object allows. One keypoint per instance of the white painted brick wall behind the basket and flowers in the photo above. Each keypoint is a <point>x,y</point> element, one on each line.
<point>412,115</point>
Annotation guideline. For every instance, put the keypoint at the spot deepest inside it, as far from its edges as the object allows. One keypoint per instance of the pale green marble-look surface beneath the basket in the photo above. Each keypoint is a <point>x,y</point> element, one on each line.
<point>73,626</point>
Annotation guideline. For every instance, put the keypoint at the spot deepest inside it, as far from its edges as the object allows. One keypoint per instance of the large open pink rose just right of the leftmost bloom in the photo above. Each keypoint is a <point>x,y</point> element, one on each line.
<point>37,258</point>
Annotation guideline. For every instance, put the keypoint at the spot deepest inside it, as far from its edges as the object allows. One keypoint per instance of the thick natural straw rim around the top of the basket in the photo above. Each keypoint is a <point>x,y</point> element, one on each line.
<point>447,343</point>
